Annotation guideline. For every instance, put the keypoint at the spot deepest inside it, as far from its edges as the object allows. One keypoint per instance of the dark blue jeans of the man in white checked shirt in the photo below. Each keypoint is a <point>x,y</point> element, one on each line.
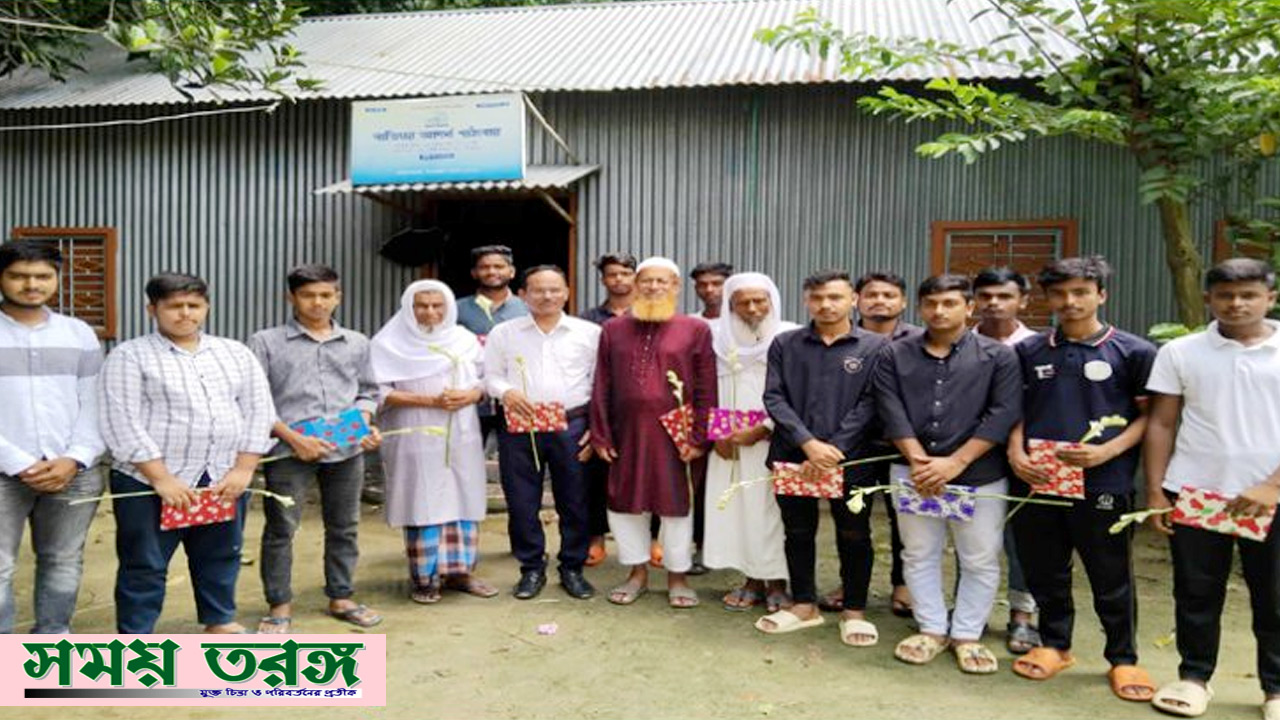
<point>144,552</point>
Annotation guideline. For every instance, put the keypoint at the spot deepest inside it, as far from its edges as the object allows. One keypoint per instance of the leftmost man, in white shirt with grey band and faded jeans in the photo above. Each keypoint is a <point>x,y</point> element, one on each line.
<point>49,440</point>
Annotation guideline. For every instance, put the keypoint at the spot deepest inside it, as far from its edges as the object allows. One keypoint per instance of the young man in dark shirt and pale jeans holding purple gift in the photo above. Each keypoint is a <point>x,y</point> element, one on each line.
<point>948,399</point>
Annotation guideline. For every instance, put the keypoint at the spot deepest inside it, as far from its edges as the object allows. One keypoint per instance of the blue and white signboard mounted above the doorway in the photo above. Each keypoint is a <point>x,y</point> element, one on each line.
<point>458,139</point>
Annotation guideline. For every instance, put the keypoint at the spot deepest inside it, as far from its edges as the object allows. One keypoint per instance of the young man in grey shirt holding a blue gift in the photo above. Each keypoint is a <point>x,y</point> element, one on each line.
<point>317,370</point>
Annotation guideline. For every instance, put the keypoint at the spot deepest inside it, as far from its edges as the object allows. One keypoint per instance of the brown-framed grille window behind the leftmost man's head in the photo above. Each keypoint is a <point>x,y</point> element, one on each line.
<point>89,274</point>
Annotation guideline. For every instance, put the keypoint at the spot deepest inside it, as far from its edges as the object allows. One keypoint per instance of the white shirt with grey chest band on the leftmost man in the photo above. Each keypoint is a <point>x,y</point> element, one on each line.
<point>49,385</point>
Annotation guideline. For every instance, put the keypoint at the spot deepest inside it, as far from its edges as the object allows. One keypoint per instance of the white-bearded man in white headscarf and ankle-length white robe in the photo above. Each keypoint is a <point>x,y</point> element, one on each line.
<point>747,534</point>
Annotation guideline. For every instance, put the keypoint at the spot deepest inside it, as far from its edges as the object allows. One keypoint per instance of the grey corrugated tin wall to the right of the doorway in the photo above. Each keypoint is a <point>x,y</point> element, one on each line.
<point>788,181</point>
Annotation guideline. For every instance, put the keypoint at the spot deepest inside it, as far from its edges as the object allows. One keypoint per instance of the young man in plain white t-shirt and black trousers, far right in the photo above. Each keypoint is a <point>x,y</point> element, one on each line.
<point>1224,388</point>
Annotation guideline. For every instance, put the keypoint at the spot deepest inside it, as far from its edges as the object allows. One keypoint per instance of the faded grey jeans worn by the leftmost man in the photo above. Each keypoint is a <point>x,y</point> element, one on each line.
<point>58,535</point>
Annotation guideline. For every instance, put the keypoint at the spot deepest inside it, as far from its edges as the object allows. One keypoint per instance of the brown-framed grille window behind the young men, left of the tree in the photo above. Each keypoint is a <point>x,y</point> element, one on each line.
<point>967,248</point>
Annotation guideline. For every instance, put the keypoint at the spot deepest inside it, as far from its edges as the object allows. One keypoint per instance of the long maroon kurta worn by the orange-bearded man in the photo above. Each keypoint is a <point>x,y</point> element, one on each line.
<point>632,393</point>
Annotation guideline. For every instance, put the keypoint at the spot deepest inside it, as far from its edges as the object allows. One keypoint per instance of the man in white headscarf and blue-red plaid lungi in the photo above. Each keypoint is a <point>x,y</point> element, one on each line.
<point>429,371</point>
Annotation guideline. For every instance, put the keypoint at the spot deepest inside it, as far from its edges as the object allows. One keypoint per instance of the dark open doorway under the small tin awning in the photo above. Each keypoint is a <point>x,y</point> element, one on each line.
<point>534,231</point>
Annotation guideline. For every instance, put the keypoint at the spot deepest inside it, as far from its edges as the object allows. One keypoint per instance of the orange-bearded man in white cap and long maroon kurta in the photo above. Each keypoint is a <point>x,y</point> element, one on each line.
<point>646,361</point>
